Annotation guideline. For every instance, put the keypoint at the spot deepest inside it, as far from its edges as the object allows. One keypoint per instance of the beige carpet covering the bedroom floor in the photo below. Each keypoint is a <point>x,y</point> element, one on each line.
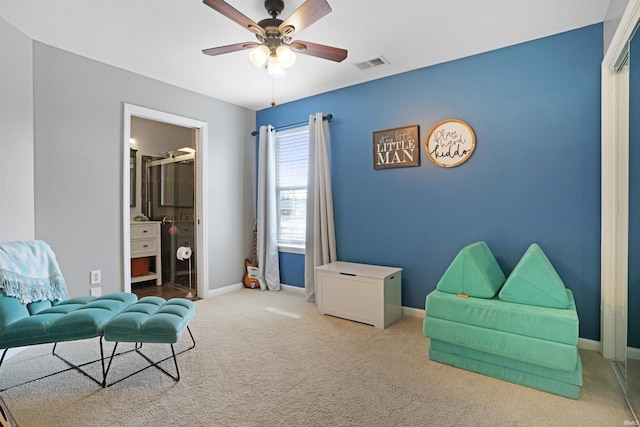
<point>269,359</point>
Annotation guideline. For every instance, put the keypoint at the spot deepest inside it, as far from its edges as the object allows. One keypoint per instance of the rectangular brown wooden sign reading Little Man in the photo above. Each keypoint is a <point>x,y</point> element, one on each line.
<point>396,148</point>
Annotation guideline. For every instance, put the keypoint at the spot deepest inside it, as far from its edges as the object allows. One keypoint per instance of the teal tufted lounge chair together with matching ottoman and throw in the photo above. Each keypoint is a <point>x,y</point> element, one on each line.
<point>34,309</point>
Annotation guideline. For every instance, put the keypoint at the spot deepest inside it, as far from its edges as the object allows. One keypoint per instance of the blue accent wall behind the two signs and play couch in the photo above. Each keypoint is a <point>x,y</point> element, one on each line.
<point>534,176</point>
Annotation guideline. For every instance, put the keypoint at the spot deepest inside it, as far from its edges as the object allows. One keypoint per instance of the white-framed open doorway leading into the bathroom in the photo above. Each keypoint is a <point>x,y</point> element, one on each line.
<point>164,186</point>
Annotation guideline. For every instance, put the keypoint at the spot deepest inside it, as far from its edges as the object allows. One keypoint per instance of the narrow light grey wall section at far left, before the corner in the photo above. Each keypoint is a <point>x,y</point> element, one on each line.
<point>16,135</point>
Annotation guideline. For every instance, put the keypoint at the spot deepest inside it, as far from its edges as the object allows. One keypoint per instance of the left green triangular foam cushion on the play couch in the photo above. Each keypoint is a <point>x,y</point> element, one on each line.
<point>474,272</point>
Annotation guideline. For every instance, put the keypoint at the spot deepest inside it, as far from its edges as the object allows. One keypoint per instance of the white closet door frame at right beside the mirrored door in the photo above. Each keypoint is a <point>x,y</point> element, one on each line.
<point>615,187</point>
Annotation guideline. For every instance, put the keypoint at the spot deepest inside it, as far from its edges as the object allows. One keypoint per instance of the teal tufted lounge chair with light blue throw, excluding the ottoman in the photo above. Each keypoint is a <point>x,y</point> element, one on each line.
<point>34,308</point>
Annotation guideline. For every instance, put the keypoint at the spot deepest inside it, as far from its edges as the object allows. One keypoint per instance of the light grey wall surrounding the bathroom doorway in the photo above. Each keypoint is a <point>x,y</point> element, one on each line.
<point>78,112</point>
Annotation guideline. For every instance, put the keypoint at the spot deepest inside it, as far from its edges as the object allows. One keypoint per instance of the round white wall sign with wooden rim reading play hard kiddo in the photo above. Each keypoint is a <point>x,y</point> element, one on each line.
<point>450,143</point>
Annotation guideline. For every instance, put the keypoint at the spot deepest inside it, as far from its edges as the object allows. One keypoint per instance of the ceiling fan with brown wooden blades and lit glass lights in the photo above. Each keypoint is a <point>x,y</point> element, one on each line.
<point>274,35</point>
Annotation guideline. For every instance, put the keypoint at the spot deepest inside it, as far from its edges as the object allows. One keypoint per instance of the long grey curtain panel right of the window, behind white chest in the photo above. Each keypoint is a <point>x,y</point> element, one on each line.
<point>320,246</point>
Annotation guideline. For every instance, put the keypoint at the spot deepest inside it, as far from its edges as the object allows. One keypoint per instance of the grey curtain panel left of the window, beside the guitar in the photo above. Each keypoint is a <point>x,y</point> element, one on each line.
<point>267,230</point>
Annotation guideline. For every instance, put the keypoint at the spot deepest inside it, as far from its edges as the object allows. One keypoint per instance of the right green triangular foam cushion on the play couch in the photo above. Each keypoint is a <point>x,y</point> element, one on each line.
<point>534,281</point>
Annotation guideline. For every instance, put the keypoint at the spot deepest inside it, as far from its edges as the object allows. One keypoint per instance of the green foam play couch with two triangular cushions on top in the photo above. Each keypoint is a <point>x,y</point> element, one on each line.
<point>522,329</point>
